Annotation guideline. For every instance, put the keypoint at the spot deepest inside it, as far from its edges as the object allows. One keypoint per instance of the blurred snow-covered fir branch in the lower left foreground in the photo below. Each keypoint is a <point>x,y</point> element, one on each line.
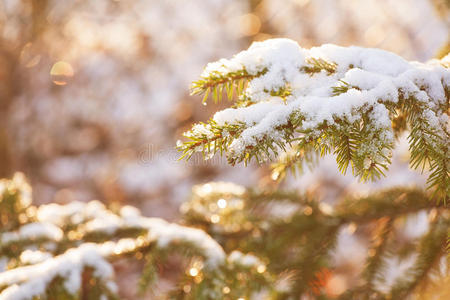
<point>66,251</point>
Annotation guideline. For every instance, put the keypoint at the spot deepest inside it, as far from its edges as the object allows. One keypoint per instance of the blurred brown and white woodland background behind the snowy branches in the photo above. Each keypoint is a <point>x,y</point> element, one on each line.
<point>94,94</point>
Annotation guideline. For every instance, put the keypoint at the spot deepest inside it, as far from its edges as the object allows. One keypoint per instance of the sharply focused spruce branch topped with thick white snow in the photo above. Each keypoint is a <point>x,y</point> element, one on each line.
<point>350,101</point>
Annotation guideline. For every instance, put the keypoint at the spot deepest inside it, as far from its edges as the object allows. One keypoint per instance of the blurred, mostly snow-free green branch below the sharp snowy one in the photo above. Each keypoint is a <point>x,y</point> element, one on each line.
<point>300,241</point>
